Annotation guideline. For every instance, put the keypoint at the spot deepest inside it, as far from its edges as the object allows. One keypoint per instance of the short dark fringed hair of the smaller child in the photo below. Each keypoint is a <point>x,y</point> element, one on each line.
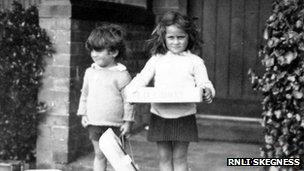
<point>110,37</point>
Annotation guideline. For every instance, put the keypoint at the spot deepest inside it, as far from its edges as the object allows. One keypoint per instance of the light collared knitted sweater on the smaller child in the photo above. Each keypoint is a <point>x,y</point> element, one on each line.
<point>102,96</point>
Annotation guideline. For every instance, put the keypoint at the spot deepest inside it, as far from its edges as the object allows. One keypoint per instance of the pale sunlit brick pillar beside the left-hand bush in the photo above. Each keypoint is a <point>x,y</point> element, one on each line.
<point>52,143</point>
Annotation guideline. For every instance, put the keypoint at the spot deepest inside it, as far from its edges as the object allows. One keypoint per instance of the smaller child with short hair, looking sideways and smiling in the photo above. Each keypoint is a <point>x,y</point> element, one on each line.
<point>102,103</point>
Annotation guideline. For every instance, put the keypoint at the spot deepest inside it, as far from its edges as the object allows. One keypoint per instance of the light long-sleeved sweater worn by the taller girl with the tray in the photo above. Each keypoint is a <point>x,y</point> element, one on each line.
<point>171,70</point>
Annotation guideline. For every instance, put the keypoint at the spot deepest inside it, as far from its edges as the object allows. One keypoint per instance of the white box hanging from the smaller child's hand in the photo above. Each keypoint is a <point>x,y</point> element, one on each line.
<point>111,147</point>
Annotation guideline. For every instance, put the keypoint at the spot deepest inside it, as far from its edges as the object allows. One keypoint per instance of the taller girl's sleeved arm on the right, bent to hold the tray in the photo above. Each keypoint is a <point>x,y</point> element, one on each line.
<point>201,77</point>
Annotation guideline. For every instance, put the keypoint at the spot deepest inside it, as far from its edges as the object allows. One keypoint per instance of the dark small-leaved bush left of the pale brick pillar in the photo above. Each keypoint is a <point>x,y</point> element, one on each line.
<point>23,46</point>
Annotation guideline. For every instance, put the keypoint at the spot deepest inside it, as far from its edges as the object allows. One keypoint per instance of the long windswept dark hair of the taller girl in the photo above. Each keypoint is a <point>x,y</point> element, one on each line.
<point>157,45</point>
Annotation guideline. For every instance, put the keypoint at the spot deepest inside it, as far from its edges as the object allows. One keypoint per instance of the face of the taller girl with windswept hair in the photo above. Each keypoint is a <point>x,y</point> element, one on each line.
<point>176,39</point>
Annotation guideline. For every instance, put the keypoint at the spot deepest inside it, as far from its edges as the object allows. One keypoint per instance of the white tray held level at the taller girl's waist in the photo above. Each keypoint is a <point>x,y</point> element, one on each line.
<point>161,95</point>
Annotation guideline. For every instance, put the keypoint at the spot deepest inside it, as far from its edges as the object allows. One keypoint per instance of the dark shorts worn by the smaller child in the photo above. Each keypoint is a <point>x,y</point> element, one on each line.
<point>95,132</point>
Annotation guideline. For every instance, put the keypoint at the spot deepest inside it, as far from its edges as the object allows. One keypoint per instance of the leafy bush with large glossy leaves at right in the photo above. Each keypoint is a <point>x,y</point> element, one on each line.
<point>282,83</point>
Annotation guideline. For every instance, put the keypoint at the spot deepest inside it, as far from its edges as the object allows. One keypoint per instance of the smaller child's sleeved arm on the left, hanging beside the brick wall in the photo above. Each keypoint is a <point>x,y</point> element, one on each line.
<point>82,108</point>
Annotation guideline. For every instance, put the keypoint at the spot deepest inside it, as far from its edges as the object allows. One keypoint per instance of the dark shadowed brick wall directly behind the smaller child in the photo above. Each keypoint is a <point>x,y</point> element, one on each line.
<point>80,60</point>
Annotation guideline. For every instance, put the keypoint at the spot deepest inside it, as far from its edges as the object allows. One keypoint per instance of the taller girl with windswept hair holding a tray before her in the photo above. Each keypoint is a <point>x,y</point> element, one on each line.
<point>173,125</point>
